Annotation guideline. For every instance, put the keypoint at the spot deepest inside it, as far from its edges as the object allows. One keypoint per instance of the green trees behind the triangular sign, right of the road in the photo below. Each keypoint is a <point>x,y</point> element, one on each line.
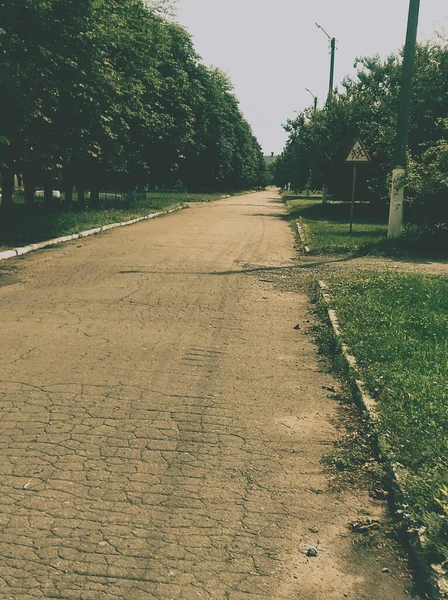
<point>320,141</point>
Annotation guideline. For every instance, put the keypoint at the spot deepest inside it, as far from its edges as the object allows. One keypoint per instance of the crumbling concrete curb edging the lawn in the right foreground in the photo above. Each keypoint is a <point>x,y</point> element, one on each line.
<point>432,577</point>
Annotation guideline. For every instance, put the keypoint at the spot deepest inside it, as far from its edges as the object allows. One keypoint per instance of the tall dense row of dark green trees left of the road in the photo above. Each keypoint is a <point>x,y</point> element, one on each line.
<point>111,93</point>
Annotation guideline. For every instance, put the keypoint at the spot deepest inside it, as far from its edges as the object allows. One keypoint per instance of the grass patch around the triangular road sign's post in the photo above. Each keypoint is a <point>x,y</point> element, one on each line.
<point>326,230</point>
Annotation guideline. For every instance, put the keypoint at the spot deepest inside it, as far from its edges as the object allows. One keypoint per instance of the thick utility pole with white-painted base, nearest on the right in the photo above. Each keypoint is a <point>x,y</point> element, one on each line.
<point>399,170</point>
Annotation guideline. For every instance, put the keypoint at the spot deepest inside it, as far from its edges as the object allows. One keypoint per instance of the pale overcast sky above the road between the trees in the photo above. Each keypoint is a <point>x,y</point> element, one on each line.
<point>272,49</point>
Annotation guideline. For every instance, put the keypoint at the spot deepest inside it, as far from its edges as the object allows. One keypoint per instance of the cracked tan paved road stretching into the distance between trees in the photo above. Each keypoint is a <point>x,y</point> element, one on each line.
<point>162,423</point>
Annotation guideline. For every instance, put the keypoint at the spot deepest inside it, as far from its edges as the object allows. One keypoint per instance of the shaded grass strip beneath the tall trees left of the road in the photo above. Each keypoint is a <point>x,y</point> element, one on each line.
<point>25,227</point>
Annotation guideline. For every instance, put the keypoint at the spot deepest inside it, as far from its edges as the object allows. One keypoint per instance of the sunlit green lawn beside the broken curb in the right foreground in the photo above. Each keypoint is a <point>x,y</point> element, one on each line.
<point>397,327</point>
